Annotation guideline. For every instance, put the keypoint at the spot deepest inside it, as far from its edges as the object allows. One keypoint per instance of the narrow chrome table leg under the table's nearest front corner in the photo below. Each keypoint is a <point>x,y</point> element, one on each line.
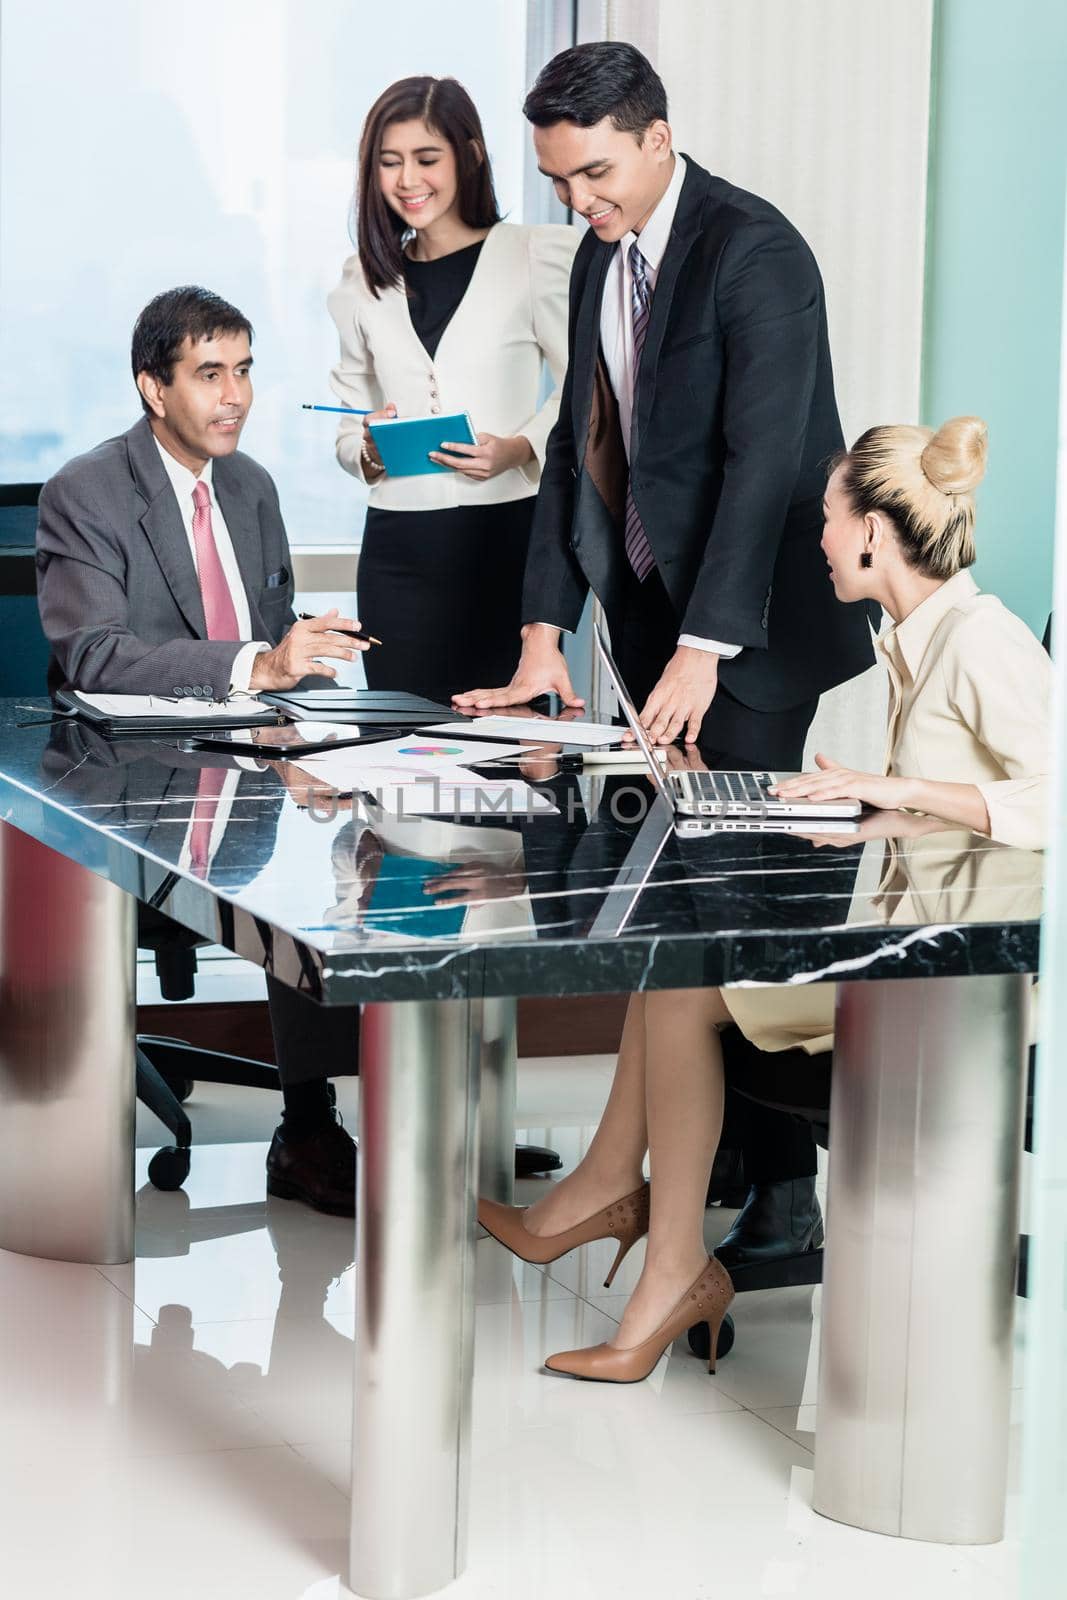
<point>420,1070</point>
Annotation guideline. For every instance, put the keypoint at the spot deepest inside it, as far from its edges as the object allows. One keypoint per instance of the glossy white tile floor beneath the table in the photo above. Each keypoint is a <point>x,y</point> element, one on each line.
<point>182,1428</point>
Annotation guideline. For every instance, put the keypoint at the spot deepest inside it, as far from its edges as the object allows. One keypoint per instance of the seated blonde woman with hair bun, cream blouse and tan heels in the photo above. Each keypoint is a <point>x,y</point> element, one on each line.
<point>969,742</point>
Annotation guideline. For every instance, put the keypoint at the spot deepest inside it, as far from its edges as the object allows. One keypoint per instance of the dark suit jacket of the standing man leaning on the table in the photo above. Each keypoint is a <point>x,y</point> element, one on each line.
<point>735,423</point>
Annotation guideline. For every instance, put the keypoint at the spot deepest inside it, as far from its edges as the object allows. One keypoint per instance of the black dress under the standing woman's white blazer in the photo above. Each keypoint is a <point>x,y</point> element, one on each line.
<point>442,590</point>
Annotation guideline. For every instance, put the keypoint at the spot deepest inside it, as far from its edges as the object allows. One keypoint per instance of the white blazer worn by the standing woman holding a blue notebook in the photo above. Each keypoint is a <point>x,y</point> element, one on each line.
<point>490,362</point>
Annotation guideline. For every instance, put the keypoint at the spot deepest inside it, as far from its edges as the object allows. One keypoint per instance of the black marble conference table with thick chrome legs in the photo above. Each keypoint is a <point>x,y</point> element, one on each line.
<point>428,922</point>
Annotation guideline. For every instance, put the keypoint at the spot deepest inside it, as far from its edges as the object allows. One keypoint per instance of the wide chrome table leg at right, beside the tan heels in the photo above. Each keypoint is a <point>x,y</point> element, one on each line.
<point>921,1268</point>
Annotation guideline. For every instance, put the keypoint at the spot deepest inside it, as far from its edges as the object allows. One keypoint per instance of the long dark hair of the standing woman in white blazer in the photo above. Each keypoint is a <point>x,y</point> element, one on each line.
<point>444,106</point>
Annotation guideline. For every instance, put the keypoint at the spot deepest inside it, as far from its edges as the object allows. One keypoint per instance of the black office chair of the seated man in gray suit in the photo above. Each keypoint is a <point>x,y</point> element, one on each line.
<point>167,1068</point>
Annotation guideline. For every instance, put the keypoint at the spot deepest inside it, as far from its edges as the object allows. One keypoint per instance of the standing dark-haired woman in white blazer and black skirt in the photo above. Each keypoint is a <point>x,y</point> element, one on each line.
<point>446,308</point>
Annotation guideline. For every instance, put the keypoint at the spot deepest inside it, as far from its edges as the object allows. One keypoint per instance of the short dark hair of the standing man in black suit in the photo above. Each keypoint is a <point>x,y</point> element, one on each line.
<point>591,82</point>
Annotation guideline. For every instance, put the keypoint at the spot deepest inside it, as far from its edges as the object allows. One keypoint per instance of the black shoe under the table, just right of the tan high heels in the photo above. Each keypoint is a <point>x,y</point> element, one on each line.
<point>777,1236</point>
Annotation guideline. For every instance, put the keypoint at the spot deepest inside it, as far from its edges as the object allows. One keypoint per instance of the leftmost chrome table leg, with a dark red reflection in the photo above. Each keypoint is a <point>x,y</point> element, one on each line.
<point>68,950</point>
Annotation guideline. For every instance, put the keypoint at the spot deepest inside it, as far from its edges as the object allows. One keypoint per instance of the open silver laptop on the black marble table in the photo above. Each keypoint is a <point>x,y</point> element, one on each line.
<point>729,802</point>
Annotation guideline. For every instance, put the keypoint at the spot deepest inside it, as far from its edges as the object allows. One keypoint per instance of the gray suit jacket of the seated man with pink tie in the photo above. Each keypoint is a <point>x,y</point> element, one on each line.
<point>116,582</point>
